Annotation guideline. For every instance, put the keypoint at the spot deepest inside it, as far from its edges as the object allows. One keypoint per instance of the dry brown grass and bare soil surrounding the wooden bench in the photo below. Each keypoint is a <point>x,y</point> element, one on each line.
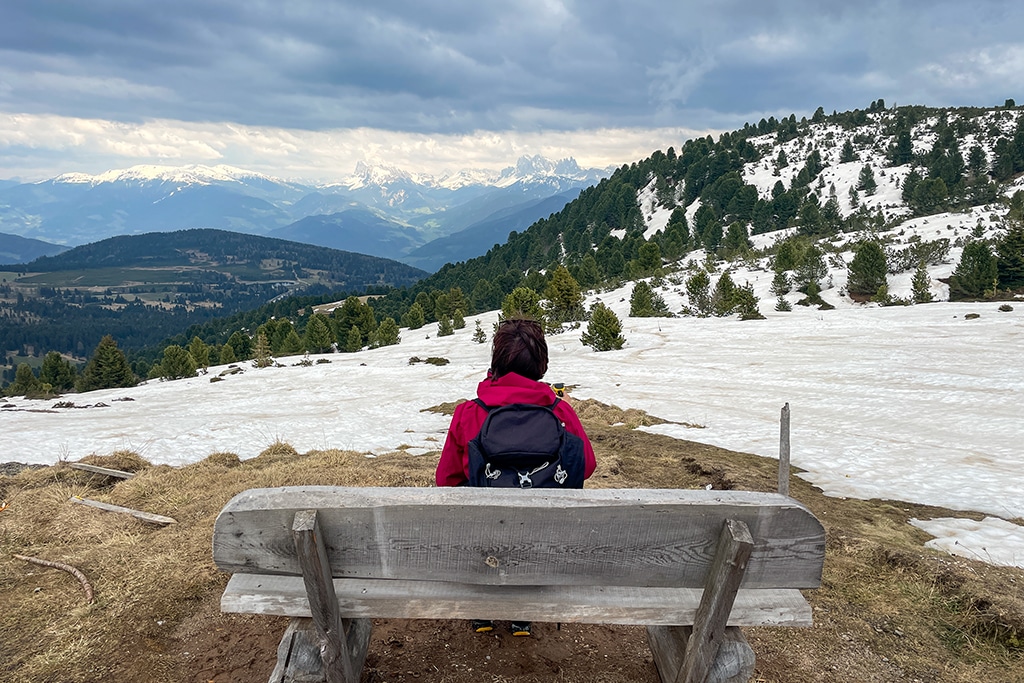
<point>889,610</point>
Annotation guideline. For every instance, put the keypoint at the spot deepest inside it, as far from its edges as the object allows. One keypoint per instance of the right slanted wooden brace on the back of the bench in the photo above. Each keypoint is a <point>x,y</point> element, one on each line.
<point>735,547</point>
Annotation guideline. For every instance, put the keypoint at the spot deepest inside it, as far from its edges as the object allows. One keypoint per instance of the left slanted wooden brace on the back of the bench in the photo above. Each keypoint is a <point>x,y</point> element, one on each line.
<point>323,601</point>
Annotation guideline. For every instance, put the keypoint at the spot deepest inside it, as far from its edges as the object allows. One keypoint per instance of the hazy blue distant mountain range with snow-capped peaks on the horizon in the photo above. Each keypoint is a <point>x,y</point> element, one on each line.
<point>378,210</point>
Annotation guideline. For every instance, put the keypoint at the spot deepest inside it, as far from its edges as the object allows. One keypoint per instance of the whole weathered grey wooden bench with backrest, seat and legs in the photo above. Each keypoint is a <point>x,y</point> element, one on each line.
<point>691,566</point>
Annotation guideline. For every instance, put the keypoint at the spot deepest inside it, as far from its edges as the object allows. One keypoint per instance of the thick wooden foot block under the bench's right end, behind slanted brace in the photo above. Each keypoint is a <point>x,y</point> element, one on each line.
<point>734,663</point>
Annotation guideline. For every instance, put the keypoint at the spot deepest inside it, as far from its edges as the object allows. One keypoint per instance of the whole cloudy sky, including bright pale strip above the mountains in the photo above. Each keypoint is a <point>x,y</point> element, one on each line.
<point>304,89</point>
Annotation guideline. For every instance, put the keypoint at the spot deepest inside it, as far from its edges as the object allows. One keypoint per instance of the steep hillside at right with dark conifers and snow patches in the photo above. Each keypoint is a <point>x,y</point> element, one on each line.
<point>864,170</point>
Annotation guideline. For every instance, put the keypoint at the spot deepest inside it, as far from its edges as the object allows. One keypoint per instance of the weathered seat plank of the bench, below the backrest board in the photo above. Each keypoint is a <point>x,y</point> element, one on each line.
<point>286,596</point>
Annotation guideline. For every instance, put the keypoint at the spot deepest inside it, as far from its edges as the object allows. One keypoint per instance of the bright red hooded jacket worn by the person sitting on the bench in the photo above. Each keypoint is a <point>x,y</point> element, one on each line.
<point>453,469</point>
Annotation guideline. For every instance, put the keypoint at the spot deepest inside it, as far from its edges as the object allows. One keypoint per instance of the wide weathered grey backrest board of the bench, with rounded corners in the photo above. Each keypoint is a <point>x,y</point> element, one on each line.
<point>621,537</point>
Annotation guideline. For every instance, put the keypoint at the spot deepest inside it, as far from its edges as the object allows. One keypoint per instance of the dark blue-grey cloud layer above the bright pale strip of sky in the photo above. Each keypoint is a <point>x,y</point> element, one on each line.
<point>458,66</point>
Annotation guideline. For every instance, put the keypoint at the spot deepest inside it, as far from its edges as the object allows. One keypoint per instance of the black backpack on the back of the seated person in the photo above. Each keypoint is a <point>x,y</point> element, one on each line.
<point>523,446</point>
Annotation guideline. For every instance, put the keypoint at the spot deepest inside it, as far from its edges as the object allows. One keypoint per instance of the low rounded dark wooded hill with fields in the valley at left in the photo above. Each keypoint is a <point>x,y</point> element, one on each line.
<point>144,289</point>
